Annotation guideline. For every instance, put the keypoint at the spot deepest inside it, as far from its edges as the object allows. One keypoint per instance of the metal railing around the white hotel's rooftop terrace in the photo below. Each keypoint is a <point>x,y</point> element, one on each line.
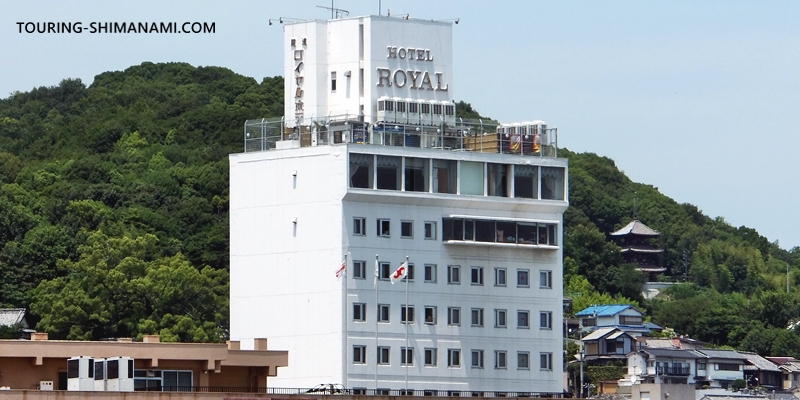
<point>465,135</point>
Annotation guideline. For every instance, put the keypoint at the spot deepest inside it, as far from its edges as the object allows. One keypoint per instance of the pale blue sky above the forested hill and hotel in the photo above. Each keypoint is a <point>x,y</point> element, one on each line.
<point>699,99</point>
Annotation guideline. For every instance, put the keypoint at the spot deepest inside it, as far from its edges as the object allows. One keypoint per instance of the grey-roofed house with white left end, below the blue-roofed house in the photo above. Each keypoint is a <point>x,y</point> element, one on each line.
<point>657,365</point>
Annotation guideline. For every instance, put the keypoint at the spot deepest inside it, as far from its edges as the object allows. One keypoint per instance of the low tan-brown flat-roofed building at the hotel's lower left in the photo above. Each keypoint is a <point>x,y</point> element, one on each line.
<point>157,366</point>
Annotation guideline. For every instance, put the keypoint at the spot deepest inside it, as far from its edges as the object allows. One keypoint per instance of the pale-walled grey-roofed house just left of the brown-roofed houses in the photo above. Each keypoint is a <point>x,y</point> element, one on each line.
<point>719,368</point>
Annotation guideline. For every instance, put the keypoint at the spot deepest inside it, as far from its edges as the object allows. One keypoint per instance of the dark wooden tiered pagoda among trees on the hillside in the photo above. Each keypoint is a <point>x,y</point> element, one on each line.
<point>635,240</point>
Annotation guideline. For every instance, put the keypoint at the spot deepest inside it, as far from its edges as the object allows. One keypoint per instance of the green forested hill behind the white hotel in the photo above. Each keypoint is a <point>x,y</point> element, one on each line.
<point>114,218</point>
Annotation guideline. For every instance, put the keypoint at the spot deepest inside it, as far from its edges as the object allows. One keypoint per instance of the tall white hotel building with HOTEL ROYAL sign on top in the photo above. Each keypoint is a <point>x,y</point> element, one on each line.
<point>362,170</point>
